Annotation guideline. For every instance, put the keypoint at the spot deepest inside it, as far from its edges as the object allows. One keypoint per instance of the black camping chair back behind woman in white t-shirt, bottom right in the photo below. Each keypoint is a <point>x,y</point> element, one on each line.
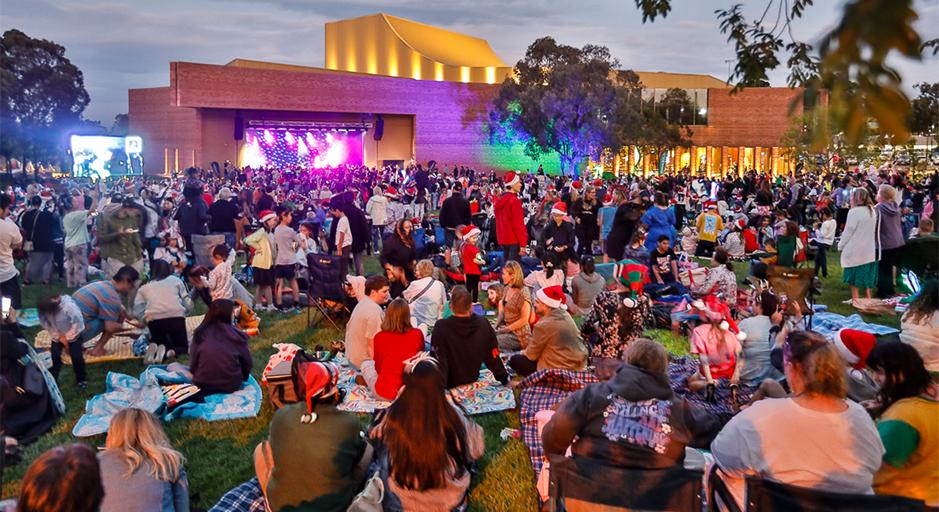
<point>768,496</point>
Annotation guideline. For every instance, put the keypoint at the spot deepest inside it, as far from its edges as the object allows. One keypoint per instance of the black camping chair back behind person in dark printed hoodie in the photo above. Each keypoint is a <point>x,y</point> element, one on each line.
<point>582,484</point>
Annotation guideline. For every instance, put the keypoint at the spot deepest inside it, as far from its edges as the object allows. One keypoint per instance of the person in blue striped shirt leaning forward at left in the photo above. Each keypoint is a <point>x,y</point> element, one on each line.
<point>102,309</point>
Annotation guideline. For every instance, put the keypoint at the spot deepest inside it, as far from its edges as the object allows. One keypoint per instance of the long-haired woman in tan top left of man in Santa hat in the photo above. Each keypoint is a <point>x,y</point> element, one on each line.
<point>512,327</point>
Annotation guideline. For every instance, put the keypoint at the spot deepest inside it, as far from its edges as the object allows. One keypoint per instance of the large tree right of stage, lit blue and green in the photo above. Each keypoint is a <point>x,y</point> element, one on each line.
<point>561,99</point>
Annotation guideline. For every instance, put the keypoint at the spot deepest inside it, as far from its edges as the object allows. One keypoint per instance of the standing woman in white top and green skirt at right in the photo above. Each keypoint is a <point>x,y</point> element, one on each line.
<point>860,245</point>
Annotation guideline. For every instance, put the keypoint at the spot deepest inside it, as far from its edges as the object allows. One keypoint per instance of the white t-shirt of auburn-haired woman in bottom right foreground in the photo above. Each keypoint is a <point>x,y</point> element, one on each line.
<point>780,440</point>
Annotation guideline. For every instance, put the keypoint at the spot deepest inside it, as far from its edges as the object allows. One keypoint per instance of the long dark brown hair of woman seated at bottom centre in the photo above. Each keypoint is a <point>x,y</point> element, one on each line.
<point>424,434</point>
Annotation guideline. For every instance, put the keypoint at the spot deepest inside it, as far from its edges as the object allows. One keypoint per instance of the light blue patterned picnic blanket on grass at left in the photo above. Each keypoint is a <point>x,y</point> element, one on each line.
<point>145,392</point>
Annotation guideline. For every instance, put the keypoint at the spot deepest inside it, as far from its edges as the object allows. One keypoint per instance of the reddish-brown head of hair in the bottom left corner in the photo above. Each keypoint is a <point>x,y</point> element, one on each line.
<point>62,478</point>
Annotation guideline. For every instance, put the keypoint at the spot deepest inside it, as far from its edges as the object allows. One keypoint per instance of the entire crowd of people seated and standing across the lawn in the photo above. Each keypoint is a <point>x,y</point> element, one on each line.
<point>573,272</point>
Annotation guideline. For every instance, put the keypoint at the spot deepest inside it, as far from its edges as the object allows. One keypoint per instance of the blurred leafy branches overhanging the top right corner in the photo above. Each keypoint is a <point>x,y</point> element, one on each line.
<point>850,63</point>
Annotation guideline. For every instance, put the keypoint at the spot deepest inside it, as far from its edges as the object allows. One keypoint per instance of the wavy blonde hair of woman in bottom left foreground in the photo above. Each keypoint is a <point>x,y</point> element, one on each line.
<point>140,440</point>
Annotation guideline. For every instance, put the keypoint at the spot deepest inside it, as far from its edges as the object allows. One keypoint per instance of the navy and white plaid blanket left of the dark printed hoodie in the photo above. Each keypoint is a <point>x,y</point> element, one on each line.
<point>541,391</point>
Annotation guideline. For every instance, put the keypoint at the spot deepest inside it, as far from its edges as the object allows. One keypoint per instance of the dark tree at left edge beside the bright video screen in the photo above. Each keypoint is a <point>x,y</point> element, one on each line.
<point>41,94</point>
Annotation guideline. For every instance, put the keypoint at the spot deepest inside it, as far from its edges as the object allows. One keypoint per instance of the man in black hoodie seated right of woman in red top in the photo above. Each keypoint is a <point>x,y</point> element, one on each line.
<point>465,341</point>
